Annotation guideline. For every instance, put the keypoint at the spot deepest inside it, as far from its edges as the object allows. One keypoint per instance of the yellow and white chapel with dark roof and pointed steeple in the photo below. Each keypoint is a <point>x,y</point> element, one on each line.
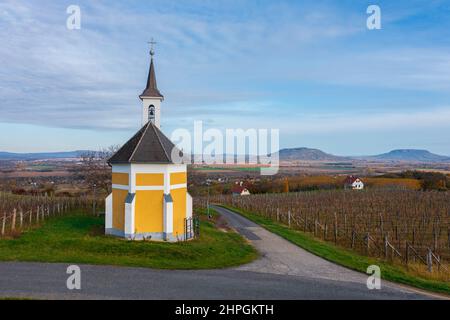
<point>149,198</point>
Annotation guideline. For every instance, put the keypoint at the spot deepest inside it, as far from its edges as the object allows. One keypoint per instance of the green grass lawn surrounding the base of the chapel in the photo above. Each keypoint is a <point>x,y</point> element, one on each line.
<point>79,238</point>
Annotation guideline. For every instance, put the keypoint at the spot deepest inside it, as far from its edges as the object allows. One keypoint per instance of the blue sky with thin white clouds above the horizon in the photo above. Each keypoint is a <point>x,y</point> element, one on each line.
<point>309,68</point>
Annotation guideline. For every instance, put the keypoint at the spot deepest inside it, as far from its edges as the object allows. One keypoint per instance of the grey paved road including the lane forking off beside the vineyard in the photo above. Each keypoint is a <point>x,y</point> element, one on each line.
<point>284,272</point>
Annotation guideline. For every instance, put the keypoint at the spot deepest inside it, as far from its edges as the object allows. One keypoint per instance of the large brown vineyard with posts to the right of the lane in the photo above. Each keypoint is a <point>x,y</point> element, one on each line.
<point>407,226</point>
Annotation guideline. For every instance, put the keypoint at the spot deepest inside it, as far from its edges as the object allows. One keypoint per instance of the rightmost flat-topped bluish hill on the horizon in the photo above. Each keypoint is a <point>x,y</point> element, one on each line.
<point>415,155</point>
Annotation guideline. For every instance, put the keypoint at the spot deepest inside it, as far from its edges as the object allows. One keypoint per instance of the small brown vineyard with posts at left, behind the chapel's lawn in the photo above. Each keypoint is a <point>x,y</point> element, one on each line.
<point>18,213</point>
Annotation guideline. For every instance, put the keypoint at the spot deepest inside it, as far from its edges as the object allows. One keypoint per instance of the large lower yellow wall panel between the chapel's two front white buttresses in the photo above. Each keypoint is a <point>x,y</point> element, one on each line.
<point>149,212</point>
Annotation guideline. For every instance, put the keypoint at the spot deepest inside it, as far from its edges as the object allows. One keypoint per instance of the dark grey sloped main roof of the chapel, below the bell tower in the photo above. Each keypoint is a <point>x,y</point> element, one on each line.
<point>148,145</point>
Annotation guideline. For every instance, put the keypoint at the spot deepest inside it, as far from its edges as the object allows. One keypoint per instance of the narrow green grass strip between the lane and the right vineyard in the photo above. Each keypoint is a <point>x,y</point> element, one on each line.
<point>344,256</point>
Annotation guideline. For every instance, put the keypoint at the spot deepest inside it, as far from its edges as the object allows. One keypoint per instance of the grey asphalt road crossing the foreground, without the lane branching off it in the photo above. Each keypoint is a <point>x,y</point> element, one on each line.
<point>48,281</point>
